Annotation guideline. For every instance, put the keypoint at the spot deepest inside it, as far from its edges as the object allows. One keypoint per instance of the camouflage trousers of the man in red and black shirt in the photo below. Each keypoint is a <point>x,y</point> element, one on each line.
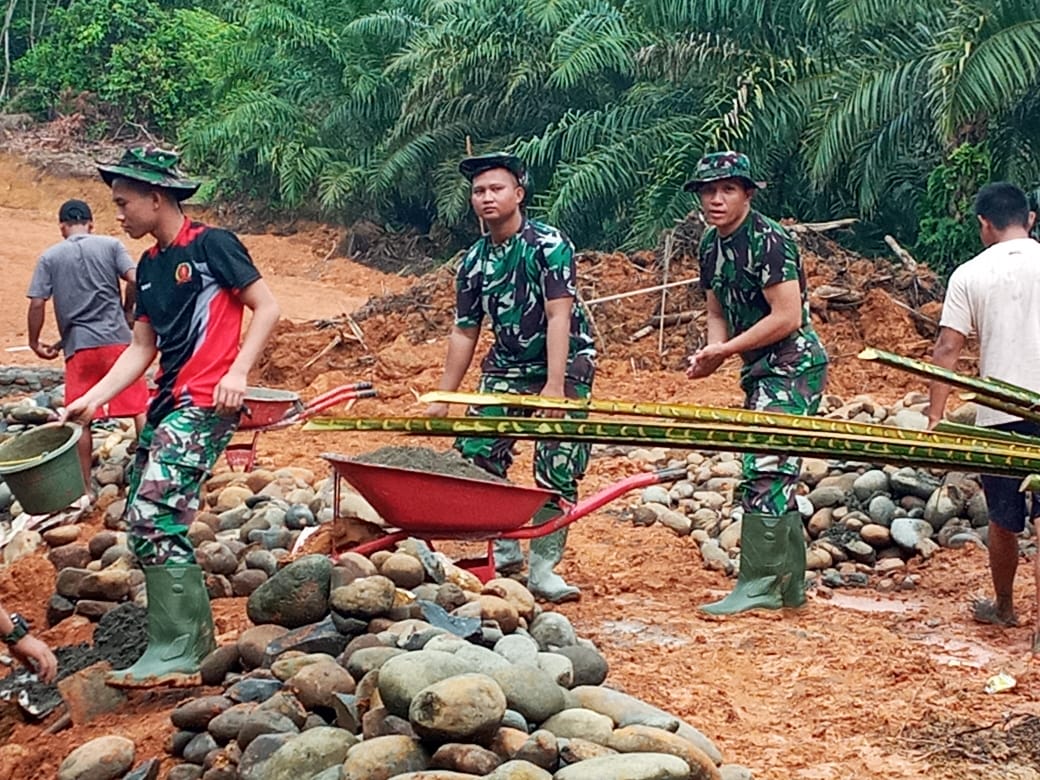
<point>173,461</point>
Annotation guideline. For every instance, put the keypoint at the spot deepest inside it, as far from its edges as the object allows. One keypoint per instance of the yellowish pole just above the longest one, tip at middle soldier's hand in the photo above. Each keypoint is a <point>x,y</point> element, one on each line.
<point>965,435</point>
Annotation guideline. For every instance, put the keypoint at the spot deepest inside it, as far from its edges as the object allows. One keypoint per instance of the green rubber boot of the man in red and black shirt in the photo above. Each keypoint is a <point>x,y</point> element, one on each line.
<point>180,630</point>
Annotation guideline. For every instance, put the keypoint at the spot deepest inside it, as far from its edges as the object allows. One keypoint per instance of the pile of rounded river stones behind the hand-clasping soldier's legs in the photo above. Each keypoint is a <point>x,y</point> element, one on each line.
<point>864,522</point>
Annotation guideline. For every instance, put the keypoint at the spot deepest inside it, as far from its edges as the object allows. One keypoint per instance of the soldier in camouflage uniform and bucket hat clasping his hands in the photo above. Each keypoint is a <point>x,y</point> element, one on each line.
<point>758,307</point>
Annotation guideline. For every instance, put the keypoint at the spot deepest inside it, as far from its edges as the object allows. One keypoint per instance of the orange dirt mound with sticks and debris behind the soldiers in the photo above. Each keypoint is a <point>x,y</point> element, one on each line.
<point>855,301</point>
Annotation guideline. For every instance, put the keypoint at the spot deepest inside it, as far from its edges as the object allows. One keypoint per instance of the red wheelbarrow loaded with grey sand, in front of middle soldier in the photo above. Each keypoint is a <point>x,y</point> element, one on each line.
<point>431,507</point>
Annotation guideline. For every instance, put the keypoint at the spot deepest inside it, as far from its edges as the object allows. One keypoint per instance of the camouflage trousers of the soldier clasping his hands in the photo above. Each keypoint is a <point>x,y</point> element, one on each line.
<point>770,480</point>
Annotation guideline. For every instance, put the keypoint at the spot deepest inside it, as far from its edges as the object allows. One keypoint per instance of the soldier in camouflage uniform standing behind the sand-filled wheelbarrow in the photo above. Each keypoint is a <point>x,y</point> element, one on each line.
<point>522,277</point>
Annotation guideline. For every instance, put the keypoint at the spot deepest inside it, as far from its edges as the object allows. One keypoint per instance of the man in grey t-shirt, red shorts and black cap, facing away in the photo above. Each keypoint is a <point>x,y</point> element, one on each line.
<point>83,275</point>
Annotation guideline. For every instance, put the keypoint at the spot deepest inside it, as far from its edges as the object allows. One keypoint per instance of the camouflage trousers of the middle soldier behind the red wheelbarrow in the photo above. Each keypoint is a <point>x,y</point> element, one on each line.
<point>559,465</point>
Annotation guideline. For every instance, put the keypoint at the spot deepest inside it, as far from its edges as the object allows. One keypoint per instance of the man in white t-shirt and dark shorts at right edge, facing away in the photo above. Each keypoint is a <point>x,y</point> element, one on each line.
<point>997,296</point>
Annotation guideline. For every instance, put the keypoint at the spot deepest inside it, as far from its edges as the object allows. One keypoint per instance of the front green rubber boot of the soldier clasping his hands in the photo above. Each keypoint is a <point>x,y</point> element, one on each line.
<point>765,569</point>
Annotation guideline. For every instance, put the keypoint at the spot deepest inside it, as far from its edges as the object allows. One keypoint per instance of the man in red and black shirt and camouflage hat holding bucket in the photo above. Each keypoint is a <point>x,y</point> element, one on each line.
<point>193,289</point>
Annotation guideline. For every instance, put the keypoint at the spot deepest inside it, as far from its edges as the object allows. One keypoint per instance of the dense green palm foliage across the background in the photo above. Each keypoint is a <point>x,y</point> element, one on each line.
<point>892,111</point>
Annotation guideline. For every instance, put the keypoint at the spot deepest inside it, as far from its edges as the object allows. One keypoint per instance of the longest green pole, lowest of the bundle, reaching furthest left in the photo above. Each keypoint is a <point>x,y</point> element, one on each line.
<point>942,452</point>
